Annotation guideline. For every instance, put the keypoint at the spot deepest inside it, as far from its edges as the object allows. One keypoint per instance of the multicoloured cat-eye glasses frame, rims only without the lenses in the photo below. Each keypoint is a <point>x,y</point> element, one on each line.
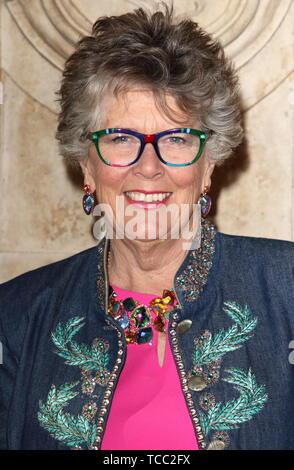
<point>152,139</point>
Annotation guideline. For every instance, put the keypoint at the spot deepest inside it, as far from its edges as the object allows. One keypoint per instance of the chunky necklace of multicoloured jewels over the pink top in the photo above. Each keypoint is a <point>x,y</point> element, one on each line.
<point>138,320</point>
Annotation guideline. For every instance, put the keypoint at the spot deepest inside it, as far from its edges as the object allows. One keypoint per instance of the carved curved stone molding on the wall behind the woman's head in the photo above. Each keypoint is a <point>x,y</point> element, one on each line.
<point>245,27</point>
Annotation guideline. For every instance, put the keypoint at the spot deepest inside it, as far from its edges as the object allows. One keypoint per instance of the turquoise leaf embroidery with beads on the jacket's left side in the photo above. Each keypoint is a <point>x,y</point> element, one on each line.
<point>75,431</point>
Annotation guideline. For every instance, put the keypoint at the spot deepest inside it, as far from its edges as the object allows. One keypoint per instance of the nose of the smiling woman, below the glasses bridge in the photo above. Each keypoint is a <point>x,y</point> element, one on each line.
<point>149,166</point>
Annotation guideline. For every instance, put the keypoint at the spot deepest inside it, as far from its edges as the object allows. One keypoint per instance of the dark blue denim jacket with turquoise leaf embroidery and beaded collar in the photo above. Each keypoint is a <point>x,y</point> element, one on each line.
<point>63,354</point>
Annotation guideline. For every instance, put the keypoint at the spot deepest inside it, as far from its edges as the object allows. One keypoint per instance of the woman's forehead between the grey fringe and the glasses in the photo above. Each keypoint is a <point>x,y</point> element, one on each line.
<point>141,104</point>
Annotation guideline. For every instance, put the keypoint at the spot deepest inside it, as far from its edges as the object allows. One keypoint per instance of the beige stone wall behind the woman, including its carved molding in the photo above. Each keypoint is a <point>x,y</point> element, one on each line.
<point>41,215</point>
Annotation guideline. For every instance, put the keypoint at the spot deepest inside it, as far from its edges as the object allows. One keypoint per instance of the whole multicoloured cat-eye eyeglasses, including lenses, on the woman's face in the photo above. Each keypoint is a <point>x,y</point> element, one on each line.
<point>174,147</point>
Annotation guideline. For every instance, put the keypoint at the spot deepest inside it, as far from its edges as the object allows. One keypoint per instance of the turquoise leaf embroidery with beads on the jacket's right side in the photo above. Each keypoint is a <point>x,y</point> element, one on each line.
<point>206,359</point>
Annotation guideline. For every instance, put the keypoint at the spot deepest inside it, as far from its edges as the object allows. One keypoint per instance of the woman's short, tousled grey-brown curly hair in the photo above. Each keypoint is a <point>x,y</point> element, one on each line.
<point>166,56</point>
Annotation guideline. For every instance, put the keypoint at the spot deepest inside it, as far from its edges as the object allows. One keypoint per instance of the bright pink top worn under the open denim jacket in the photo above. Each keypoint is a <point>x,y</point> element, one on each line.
<point>148,410</point>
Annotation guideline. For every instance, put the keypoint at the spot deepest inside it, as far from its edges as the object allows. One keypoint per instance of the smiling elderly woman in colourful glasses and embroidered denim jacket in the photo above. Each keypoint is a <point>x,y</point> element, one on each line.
<point>150,341</point>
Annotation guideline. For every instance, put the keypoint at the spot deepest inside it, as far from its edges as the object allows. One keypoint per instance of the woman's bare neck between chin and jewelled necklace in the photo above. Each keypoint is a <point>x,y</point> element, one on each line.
<point>145,266</point>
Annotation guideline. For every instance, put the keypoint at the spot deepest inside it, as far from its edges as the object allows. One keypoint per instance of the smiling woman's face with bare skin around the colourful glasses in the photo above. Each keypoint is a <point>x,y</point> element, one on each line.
<point>136,110</point>
